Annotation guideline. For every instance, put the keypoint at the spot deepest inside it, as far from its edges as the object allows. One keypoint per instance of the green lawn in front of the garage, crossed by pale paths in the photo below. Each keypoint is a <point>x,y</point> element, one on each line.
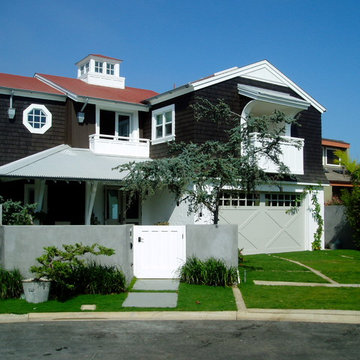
<point>340,265</point>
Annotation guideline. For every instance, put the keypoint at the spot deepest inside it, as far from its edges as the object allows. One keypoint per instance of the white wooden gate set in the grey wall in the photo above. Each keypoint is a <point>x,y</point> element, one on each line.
<point>159,251</point>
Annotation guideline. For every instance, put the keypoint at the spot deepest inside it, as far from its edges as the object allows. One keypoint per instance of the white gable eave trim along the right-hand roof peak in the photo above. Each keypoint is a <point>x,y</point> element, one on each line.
<point>262,71</point>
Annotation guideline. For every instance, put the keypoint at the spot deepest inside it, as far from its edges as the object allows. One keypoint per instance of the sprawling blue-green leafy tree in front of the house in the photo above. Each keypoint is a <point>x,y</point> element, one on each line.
<point>198,173</point>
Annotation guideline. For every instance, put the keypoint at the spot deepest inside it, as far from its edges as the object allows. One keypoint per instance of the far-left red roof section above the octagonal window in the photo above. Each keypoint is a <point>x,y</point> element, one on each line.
<point>26,83</point>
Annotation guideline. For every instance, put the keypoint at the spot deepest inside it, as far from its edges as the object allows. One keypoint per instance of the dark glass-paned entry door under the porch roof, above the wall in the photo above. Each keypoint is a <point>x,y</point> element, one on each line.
<point>118,209</point>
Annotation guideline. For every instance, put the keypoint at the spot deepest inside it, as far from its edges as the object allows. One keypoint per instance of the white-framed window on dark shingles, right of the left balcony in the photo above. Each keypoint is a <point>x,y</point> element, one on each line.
<point>163,124</point>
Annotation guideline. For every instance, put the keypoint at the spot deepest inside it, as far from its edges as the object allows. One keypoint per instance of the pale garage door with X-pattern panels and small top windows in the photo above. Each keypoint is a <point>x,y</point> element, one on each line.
<point>263,222</point>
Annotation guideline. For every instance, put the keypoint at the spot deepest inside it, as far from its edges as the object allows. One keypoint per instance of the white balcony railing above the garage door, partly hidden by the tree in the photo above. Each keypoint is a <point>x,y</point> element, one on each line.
<point>292,155</point>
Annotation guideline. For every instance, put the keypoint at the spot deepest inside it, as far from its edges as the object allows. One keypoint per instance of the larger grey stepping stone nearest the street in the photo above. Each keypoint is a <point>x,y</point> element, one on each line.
<point>161,300</point>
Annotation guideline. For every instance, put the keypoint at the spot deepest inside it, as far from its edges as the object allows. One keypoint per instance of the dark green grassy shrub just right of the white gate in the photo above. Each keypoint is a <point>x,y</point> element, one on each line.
<point>211,272</point>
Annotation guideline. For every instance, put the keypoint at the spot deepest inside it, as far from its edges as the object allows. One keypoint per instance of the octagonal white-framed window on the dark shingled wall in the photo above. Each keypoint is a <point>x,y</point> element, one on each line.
<point>37,118</point>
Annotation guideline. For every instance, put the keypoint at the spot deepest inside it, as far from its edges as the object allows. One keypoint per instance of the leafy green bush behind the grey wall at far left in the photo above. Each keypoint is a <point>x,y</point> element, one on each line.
<point>15,213</point>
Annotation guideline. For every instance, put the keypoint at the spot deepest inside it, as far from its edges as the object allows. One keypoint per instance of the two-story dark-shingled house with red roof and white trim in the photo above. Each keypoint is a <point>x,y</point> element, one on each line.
<point>61,138</point>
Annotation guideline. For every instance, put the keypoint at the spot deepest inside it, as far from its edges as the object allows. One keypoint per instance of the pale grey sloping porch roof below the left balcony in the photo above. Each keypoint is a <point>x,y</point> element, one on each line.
<point>66,163</point>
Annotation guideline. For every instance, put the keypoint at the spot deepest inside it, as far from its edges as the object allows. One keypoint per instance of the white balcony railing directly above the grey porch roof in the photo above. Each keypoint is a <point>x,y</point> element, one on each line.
<point>119,145</point>
